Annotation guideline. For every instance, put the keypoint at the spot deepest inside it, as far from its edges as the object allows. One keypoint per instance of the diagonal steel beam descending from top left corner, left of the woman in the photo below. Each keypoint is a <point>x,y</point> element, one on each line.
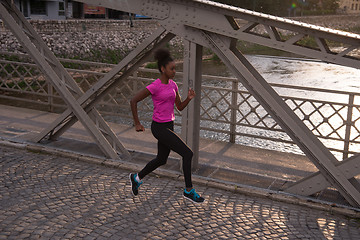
<point>54,72</point>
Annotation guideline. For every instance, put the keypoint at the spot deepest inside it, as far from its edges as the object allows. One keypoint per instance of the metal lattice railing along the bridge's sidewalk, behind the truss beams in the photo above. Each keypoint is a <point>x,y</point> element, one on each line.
<point>228,111</point>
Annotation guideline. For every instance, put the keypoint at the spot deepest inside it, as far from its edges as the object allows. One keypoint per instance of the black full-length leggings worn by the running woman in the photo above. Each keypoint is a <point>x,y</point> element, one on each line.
<point>169,140</point>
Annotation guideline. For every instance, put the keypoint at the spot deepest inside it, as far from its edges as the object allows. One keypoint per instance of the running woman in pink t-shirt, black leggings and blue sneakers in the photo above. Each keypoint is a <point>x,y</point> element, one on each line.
<point>164,93</point>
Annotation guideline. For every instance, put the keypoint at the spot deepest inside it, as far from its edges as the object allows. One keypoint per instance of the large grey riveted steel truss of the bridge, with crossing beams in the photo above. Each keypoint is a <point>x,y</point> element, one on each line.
<point>212,25</point>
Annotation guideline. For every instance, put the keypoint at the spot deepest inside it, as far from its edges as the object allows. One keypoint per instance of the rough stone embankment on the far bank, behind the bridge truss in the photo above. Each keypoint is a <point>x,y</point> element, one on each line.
<point>79,37</point>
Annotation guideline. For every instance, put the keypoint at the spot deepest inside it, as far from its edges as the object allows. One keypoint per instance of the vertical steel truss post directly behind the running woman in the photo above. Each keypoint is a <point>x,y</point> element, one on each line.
<point>191,115</point>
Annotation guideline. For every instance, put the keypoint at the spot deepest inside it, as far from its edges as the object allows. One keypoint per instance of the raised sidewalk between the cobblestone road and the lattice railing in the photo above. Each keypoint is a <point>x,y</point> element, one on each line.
<point>223,165</point>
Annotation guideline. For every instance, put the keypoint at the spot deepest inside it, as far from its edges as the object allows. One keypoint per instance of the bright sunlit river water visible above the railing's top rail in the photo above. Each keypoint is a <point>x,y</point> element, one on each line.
<point>299,72</point>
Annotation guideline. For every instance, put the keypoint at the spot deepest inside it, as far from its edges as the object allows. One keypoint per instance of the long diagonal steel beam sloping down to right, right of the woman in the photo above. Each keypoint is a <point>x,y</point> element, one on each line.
<point>286,118</point>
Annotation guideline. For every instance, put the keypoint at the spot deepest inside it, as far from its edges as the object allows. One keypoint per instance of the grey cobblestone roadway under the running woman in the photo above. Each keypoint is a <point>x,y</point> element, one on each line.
<point>51,197</point>
